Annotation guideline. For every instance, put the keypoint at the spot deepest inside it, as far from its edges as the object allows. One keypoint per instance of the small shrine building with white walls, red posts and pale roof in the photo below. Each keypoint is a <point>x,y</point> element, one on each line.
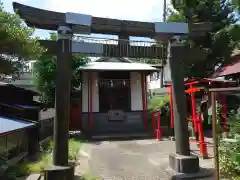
<point>114,95</point>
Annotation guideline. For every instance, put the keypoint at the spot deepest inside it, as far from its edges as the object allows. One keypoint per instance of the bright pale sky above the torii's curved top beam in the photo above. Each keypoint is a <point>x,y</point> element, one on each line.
<point>139,10</point>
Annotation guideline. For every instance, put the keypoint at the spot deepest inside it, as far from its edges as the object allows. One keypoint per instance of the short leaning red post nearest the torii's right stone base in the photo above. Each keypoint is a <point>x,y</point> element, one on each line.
<point>203,146</point>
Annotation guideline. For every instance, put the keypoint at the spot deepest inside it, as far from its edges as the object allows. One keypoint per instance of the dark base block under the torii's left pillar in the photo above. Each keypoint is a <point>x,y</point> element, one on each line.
<point>59,173</point>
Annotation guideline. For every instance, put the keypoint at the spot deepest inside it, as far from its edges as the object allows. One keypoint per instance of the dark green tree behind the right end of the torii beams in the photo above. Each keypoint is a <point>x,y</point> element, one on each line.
<point>220,41</point>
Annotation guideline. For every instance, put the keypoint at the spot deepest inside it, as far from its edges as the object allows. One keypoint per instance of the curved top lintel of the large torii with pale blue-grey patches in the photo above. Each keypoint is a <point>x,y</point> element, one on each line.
<point>87,24</point>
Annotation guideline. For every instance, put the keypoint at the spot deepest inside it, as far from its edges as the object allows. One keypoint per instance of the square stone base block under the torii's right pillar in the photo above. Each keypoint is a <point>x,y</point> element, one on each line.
<point>184,164</point>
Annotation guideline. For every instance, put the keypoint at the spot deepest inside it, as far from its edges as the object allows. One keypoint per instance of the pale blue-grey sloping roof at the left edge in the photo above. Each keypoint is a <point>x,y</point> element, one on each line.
<point>8,125</point>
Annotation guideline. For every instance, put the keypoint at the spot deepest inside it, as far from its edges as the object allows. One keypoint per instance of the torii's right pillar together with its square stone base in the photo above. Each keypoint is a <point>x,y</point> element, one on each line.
<point>182,161</point>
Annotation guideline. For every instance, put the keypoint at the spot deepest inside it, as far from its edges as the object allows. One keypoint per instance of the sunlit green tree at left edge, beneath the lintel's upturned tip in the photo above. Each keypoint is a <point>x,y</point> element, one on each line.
<point>16,43</point>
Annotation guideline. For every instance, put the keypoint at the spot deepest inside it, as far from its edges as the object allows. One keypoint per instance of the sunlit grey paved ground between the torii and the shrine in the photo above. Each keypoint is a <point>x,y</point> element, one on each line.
<point>129,160</point>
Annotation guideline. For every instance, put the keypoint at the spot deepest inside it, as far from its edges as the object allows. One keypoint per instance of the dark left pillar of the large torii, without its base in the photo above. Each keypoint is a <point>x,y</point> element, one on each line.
<point>62,98</point>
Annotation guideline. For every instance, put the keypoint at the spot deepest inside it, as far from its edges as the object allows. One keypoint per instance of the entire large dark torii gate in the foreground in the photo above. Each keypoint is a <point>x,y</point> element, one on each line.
<point>66,24</point>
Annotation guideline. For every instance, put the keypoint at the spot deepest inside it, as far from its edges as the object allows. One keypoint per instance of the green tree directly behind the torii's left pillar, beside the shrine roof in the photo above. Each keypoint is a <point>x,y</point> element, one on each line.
<point>45,70</point>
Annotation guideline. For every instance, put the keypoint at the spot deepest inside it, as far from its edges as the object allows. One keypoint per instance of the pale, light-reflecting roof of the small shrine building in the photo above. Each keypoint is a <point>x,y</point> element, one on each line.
<point>117,66</point>
